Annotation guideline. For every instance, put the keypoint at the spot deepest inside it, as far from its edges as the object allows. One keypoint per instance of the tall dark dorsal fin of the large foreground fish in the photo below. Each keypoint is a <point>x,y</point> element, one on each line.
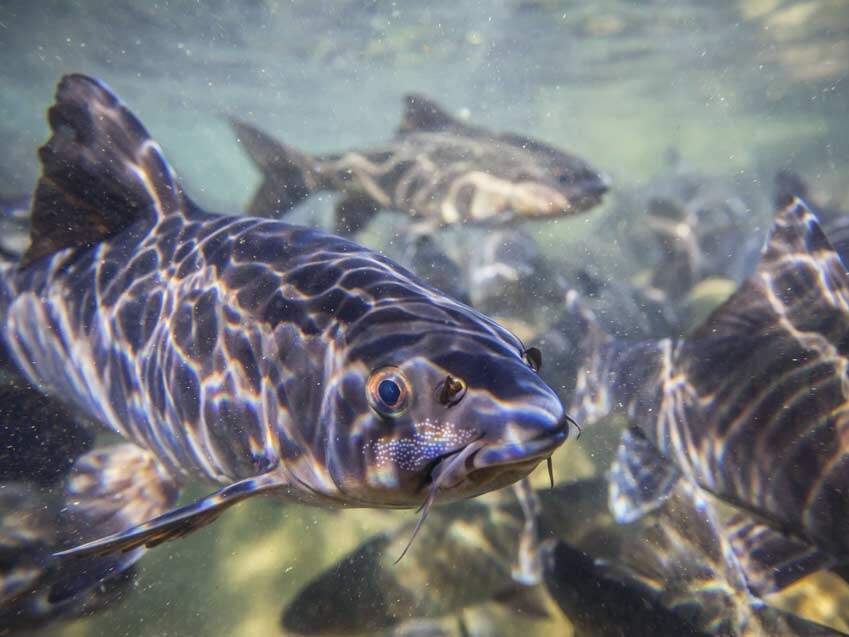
<point>101,171</point>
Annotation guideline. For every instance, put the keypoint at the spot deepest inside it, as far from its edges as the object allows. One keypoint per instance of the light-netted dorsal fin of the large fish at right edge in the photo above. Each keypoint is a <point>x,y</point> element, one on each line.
<point>800,277</point>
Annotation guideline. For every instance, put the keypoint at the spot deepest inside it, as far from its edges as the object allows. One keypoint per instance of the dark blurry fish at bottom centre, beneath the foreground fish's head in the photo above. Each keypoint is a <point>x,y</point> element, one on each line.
<point>466,555</point>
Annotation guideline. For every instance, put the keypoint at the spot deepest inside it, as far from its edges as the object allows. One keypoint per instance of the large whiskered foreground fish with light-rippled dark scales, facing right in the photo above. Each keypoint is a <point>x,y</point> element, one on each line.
<point>247,354</point>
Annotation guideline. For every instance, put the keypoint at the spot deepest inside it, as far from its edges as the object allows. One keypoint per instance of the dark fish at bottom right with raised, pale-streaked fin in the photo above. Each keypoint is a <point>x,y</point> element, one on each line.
<point>679,562</point>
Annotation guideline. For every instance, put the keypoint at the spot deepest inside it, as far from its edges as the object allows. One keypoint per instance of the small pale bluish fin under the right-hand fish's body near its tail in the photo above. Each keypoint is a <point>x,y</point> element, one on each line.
<point>640,478</point>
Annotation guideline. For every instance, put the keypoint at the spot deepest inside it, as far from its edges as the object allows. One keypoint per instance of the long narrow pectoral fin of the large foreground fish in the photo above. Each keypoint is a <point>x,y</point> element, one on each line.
<point>181,521</point>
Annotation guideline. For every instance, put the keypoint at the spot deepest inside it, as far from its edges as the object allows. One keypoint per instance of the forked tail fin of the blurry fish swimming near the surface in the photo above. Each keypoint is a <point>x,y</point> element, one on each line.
<point>289,176</point>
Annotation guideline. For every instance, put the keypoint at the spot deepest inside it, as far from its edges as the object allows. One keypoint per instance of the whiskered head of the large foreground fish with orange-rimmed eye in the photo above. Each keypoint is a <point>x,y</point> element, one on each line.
<point>455,407</point>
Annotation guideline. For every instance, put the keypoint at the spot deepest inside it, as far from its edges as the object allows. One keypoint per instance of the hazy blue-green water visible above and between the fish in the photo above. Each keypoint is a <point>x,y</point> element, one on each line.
<point>736,90</point>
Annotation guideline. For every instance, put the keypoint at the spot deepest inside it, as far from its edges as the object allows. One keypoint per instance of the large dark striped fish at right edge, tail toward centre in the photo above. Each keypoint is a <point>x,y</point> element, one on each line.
<point>751,406</point>
